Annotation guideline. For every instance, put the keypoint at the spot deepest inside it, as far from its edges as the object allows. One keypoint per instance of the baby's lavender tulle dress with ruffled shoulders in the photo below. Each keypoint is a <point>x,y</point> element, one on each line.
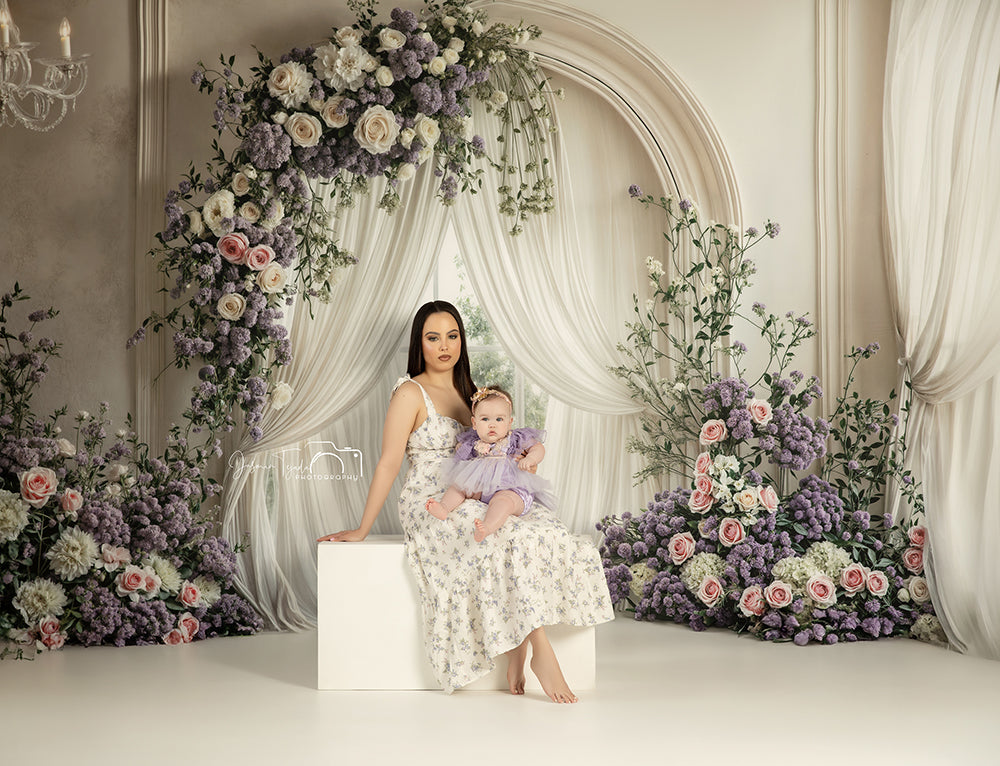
<point>496,470</point>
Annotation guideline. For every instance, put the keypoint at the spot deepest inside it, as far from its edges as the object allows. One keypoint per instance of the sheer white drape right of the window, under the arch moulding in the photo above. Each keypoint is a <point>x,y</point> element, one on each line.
<point>559,294</point>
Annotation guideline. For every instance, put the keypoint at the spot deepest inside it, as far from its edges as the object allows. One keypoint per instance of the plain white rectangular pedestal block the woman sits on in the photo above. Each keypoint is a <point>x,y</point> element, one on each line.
<point>369,625</point>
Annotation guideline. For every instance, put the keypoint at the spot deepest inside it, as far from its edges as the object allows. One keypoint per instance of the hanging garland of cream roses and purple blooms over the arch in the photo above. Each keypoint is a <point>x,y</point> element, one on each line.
<point>312,131</point>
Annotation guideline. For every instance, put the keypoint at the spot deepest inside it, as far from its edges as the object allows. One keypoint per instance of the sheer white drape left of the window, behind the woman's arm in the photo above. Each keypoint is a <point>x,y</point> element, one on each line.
<point>339,356</point>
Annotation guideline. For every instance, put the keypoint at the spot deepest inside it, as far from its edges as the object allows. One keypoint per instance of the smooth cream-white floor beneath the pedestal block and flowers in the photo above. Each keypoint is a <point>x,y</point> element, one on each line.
<point>665,695</point>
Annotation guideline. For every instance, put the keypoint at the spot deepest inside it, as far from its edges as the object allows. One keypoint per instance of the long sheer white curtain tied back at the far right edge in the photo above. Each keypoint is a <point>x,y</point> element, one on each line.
<point>942,170</point>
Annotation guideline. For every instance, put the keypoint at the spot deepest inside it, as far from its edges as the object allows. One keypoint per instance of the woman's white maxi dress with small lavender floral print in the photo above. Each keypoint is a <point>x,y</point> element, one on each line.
<point>480,600</point>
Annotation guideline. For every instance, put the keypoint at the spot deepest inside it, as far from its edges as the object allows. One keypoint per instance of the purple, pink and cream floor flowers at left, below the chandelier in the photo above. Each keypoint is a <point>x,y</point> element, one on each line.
<point>100,542</point>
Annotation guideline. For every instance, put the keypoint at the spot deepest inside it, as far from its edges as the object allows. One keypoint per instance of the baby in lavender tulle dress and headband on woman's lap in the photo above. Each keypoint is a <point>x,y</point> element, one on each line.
<point>491,464</point>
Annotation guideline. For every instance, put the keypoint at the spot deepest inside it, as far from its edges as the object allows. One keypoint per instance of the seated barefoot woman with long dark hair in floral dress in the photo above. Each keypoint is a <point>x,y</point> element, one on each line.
<point>478,600</point>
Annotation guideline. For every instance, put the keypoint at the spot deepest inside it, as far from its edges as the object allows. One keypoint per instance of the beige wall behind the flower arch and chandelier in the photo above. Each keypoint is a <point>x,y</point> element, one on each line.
<point>67,198</point>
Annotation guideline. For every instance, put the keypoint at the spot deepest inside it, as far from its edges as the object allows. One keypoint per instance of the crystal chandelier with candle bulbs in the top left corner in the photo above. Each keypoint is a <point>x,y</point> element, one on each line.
<point>37,106</point>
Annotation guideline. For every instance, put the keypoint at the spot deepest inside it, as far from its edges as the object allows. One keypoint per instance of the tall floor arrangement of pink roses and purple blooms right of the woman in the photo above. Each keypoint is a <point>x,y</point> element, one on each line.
<point>735,547</point>
